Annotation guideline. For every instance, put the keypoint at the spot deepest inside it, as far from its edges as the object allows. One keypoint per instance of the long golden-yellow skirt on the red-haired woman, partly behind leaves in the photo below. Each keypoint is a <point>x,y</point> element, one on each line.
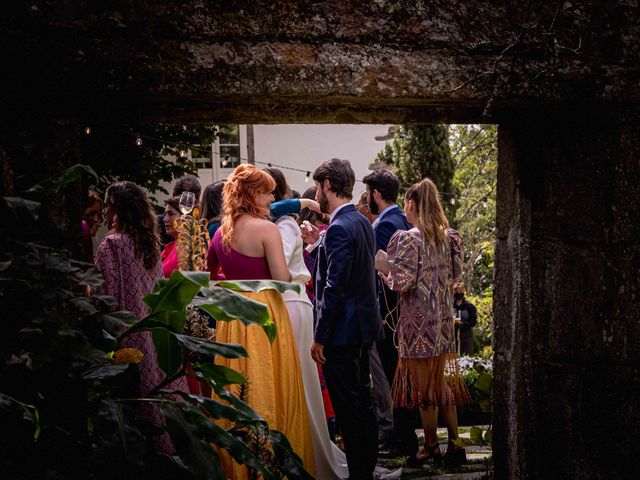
<point>275,389</point>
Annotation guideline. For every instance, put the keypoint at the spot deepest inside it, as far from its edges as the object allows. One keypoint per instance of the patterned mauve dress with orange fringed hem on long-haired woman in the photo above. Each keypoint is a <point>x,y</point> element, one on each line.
<point>424,275</point>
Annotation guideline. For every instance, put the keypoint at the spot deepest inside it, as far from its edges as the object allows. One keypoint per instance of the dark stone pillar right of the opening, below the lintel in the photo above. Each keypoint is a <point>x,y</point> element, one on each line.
<point>567,335</point>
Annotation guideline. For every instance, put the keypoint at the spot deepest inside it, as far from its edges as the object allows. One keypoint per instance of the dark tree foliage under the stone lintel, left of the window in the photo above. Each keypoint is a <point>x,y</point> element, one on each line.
<point>114,154</point>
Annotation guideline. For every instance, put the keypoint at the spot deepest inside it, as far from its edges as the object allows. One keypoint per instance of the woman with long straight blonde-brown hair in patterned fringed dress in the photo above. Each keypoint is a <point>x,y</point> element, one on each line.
<point>423,263</point>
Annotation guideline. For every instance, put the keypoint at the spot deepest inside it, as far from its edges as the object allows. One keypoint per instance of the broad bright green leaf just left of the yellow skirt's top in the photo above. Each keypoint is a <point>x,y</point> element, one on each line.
<point>177,293</point>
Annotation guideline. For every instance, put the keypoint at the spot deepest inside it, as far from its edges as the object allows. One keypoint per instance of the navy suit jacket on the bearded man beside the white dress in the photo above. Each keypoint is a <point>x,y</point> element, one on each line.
<point>346,308</point>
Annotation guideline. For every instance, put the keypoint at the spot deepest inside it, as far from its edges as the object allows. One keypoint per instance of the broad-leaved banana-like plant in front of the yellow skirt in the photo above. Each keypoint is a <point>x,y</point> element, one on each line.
<point>191,417</point>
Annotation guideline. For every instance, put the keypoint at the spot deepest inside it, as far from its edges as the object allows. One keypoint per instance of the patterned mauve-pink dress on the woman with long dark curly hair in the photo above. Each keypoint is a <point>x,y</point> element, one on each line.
<point>128,281</point>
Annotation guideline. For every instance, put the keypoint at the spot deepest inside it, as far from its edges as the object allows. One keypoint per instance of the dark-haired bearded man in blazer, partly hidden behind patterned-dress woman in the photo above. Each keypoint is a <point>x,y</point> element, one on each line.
<point>382,190</point>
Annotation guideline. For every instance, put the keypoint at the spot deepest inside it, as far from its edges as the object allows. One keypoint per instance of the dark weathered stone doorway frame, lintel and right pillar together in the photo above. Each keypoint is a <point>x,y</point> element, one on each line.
<point>561,80</point>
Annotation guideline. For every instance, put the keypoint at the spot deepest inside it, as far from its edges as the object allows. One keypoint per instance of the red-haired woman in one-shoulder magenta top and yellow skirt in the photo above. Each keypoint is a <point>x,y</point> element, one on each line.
<point>248,246</point>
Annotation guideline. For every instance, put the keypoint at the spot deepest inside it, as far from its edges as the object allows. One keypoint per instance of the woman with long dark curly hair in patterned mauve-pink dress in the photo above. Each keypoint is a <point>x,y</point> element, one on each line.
<point>129,259</point>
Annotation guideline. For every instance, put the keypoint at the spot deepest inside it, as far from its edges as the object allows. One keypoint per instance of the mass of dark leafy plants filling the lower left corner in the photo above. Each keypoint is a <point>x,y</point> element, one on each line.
<point>70,410</point>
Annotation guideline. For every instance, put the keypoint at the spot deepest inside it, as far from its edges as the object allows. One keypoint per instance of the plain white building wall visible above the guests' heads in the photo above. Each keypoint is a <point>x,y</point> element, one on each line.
<point>307,146</point>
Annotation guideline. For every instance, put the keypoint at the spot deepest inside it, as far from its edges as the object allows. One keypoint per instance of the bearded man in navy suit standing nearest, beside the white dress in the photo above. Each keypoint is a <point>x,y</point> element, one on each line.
<point>347,315</point>
